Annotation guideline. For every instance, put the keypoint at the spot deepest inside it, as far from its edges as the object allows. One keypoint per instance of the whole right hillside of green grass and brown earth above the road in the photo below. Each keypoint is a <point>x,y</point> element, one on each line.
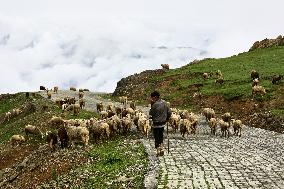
<point>185,87</point>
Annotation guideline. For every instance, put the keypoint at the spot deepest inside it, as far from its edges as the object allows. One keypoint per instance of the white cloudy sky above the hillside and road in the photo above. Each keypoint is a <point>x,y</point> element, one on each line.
<point>93,44</point>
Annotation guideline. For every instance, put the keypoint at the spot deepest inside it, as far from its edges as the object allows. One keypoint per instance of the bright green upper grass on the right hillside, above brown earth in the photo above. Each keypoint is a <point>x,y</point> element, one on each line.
<point>236,71</point>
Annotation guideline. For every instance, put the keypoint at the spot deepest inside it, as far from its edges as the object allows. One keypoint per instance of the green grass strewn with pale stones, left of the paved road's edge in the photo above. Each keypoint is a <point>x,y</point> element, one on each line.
<point>119,162</point>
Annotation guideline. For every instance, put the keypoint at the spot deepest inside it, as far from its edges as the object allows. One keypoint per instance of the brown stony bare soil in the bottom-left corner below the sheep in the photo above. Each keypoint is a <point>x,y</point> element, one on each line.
<point>40,166</point>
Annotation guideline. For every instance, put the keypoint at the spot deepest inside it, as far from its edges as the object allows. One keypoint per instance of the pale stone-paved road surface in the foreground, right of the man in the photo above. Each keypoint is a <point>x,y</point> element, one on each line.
<point>255,160</point>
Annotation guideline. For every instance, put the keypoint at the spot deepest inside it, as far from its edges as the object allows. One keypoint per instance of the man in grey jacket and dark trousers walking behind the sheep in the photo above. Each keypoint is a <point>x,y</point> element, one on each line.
<point>160,114</point>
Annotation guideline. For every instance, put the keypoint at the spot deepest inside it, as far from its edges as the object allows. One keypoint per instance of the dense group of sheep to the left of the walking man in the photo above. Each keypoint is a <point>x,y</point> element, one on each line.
<point>113,120</point>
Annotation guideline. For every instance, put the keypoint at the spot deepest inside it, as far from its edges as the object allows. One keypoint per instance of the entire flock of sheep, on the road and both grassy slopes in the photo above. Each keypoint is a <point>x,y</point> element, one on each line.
<point>120,119</point>
